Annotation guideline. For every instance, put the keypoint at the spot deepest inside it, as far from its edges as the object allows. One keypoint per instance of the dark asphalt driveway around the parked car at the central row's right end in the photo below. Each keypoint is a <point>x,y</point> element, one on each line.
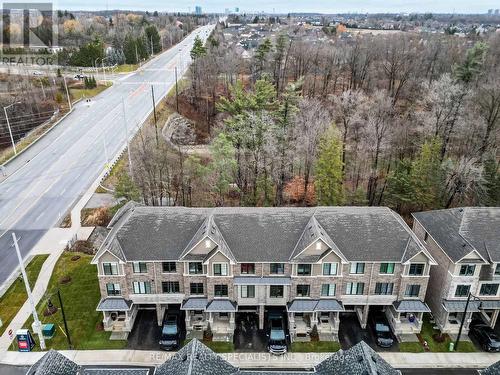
<point>350,333</point>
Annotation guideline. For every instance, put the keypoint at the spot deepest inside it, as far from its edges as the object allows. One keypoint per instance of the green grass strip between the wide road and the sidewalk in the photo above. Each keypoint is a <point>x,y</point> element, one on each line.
<point>15,296</point>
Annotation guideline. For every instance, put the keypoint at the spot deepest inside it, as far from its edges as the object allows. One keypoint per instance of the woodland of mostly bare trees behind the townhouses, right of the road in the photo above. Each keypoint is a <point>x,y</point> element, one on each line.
<point>408,120</point>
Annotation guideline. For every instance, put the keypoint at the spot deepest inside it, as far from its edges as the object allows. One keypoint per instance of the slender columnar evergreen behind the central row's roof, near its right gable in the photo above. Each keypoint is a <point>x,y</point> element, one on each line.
<point>329,187</point>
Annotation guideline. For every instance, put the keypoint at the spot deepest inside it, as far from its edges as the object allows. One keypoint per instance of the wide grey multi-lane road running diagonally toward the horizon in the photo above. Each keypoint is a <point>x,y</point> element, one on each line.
<point>53,175</point>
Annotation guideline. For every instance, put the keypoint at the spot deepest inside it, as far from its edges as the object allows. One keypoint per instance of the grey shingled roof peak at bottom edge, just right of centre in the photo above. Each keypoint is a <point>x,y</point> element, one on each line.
<point>358,360</point>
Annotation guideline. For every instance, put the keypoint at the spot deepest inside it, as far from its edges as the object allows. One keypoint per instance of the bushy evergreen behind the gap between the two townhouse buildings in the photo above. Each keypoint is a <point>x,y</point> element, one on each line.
<point>427,177</point>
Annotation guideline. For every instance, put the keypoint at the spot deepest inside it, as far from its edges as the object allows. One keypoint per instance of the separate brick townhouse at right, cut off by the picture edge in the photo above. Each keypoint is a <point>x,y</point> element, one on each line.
<point>466,244</point>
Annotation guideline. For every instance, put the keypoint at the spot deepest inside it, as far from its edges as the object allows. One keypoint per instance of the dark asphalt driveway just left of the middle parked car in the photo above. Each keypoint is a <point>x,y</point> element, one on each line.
<point>247,335</point>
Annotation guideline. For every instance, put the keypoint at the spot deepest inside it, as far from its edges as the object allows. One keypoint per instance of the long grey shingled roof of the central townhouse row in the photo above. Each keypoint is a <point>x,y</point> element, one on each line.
<point>261,234</point>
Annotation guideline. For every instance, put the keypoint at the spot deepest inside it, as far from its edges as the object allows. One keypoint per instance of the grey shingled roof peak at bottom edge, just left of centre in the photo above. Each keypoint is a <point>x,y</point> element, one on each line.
<point>196,359</point>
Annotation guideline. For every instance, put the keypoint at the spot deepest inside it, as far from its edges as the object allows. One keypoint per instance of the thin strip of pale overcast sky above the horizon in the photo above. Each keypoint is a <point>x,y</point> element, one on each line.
<point>284,6</point>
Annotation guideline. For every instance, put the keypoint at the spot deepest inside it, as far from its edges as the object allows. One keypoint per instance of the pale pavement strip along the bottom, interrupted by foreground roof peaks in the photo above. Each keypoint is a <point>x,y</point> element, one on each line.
<point>258,360</point>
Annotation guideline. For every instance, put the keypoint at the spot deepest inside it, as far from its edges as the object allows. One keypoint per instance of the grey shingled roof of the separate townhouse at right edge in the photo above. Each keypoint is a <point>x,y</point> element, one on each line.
<point>460,231</point>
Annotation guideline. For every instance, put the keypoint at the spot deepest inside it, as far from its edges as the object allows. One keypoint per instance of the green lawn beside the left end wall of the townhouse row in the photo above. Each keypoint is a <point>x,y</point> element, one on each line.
<point>80,297</point>
